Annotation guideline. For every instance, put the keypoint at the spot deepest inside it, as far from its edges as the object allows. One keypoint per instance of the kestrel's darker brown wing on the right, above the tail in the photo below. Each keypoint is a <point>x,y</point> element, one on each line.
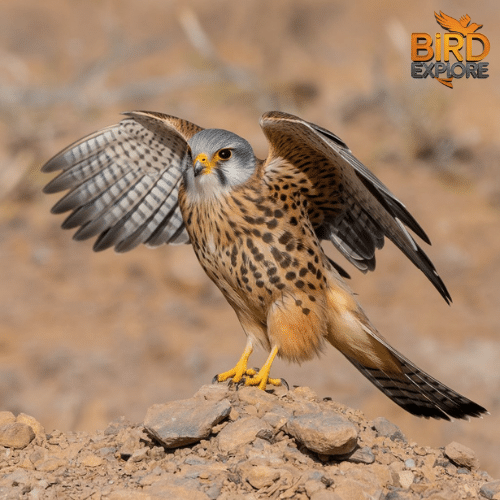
<point>347,204</point>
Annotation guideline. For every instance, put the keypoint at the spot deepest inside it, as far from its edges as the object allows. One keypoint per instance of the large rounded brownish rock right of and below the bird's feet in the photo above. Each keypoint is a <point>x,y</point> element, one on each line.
<point>323,433</point>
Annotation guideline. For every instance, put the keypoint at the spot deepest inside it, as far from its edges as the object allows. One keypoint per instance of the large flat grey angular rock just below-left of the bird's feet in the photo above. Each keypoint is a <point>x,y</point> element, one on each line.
<point>184,422</point>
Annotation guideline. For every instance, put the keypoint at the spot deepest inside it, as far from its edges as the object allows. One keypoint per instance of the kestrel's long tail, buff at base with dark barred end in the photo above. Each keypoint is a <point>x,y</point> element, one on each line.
<point>396,376</point>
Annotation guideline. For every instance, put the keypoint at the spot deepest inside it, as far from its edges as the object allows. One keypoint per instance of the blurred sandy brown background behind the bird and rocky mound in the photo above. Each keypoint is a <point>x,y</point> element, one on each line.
<point>87,337</point>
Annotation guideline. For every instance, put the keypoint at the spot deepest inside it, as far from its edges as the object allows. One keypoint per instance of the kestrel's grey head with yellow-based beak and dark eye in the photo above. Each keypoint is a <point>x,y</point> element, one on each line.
<point>220,159</point>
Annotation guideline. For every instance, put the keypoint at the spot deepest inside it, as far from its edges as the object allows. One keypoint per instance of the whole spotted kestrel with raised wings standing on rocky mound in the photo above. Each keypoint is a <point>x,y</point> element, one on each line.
<point>256,227</point>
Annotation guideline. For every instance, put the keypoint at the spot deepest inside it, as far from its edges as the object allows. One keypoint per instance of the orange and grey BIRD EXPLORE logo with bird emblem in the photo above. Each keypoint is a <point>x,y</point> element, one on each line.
<point>462,42</point>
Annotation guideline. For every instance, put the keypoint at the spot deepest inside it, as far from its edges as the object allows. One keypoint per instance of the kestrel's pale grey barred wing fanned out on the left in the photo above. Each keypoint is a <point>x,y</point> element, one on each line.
<point>124,182</point>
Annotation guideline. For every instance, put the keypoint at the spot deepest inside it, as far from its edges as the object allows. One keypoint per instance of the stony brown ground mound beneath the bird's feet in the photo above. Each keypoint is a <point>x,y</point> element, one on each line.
<point>230,443</point>
